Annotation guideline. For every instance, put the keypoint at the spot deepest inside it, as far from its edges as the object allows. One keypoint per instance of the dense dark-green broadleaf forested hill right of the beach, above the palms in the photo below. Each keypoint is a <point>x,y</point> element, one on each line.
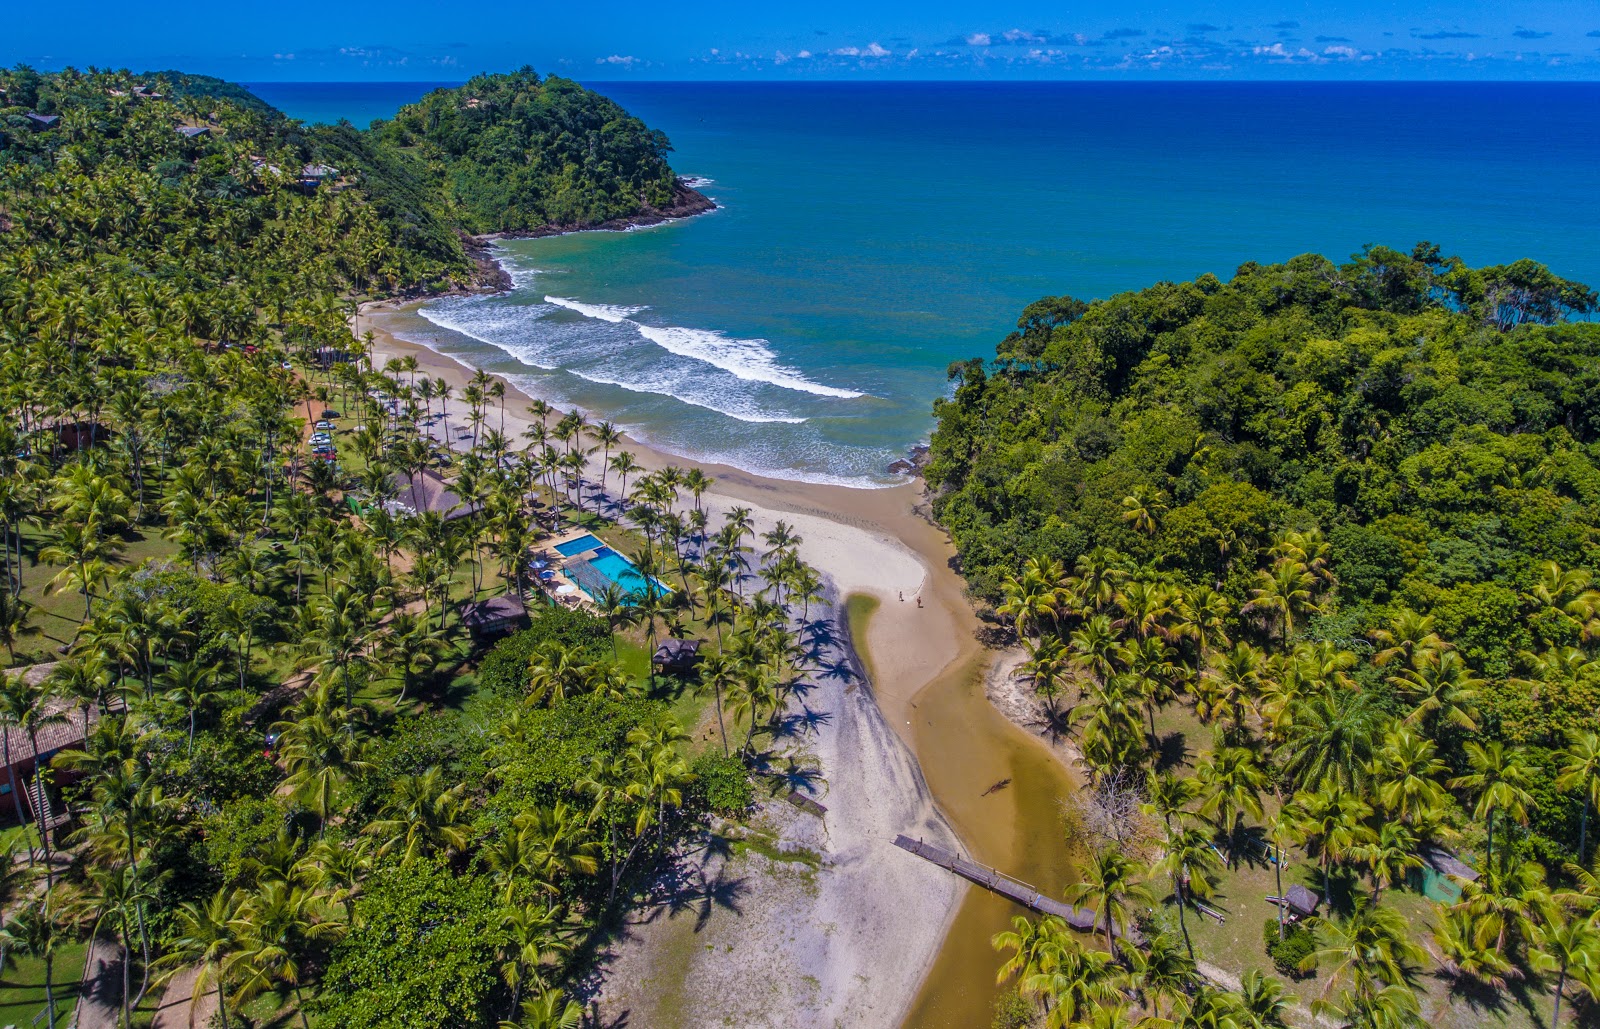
<point>1436,423</point>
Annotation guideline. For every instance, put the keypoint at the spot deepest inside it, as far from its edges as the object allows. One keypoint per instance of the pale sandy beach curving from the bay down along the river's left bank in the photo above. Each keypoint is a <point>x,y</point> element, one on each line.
<point>817,943</point>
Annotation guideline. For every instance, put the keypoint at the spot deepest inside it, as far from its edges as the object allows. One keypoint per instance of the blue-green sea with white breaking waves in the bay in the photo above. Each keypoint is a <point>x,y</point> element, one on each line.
<point>874,233</point>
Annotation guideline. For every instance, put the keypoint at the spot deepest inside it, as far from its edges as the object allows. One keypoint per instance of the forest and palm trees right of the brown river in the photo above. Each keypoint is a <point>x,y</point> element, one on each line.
<point>1342,521</point>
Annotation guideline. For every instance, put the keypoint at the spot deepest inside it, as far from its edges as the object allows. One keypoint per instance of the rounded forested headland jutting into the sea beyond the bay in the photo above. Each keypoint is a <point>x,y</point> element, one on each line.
<point>516,154</point>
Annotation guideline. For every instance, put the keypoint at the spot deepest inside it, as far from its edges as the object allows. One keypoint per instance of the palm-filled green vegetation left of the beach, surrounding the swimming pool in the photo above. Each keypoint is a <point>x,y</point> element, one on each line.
<point>300,774</point>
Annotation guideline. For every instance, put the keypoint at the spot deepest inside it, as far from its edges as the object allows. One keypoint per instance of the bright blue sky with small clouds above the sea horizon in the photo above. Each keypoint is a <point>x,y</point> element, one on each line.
<point>826,39</point>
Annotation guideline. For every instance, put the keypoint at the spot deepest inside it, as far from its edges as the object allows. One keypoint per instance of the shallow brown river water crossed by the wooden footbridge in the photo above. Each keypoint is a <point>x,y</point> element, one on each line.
<point>966,747</point>
